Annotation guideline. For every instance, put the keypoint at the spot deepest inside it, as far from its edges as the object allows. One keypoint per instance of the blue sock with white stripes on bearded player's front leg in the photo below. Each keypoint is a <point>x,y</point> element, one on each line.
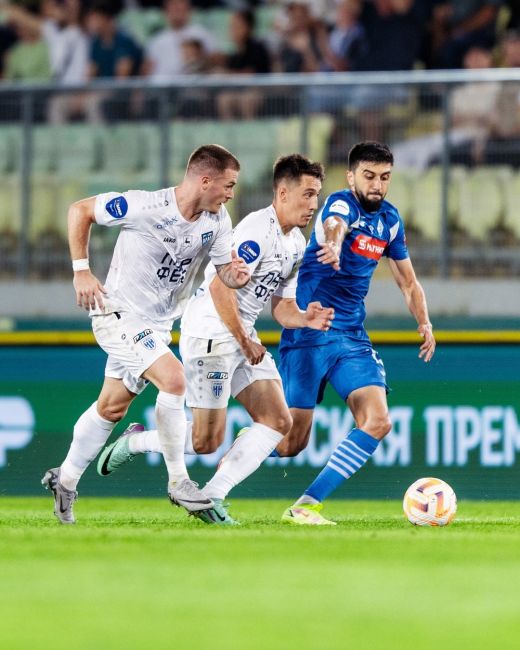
<point>348,457</point>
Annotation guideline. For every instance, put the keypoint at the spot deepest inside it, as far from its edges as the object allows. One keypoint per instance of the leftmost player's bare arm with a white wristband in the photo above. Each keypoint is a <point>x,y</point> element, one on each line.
<point>89,290</point>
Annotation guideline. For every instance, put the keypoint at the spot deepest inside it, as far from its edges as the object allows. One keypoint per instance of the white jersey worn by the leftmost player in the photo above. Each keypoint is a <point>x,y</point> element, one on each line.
<point>158,252</point>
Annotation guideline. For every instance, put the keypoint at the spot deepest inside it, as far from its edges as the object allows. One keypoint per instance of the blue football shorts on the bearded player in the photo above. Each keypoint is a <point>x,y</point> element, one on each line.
<point>347,362</point>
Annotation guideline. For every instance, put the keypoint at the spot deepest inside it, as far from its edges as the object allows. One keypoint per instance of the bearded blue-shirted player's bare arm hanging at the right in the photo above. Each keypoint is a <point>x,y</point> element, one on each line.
<point>413,292</point>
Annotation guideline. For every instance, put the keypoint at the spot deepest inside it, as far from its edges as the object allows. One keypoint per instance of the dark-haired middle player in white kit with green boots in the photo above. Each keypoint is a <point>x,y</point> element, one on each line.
<point>221,350</point>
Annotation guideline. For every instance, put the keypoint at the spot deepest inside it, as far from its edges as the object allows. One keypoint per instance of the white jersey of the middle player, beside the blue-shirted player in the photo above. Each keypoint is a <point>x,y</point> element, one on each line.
<point>272,259</point>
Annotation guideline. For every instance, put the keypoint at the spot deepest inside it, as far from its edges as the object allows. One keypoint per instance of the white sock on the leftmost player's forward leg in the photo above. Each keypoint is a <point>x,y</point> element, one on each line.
<point>171,429</point>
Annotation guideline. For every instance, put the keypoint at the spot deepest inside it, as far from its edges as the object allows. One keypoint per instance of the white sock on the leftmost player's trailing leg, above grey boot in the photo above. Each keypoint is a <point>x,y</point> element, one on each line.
<point>91,432</point>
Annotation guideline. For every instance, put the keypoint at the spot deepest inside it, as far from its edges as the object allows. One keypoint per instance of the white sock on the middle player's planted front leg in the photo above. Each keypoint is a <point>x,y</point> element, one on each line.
<point>245,456</point>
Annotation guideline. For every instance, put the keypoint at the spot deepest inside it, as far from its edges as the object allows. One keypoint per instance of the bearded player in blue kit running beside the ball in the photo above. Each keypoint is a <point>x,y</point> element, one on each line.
<point>360,227</point>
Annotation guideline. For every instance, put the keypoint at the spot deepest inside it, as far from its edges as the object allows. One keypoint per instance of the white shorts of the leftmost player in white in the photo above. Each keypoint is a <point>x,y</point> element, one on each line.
<point>132,345</point>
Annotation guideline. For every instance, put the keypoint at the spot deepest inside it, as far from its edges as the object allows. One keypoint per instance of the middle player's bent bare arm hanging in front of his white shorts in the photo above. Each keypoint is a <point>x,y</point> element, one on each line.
<point>226,304</point>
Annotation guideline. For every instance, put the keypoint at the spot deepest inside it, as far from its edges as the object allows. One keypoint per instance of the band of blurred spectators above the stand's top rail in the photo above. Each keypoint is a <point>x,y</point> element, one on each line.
<point>73,41</point>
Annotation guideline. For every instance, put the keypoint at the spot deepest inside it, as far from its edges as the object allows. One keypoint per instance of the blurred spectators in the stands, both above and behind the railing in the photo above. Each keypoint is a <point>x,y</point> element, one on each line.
<point>70,42</point>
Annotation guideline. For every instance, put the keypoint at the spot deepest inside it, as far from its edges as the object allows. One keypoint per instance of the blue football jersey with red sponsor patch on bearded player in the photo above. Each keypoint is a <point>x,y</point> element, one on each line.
<point>370,236</point>
